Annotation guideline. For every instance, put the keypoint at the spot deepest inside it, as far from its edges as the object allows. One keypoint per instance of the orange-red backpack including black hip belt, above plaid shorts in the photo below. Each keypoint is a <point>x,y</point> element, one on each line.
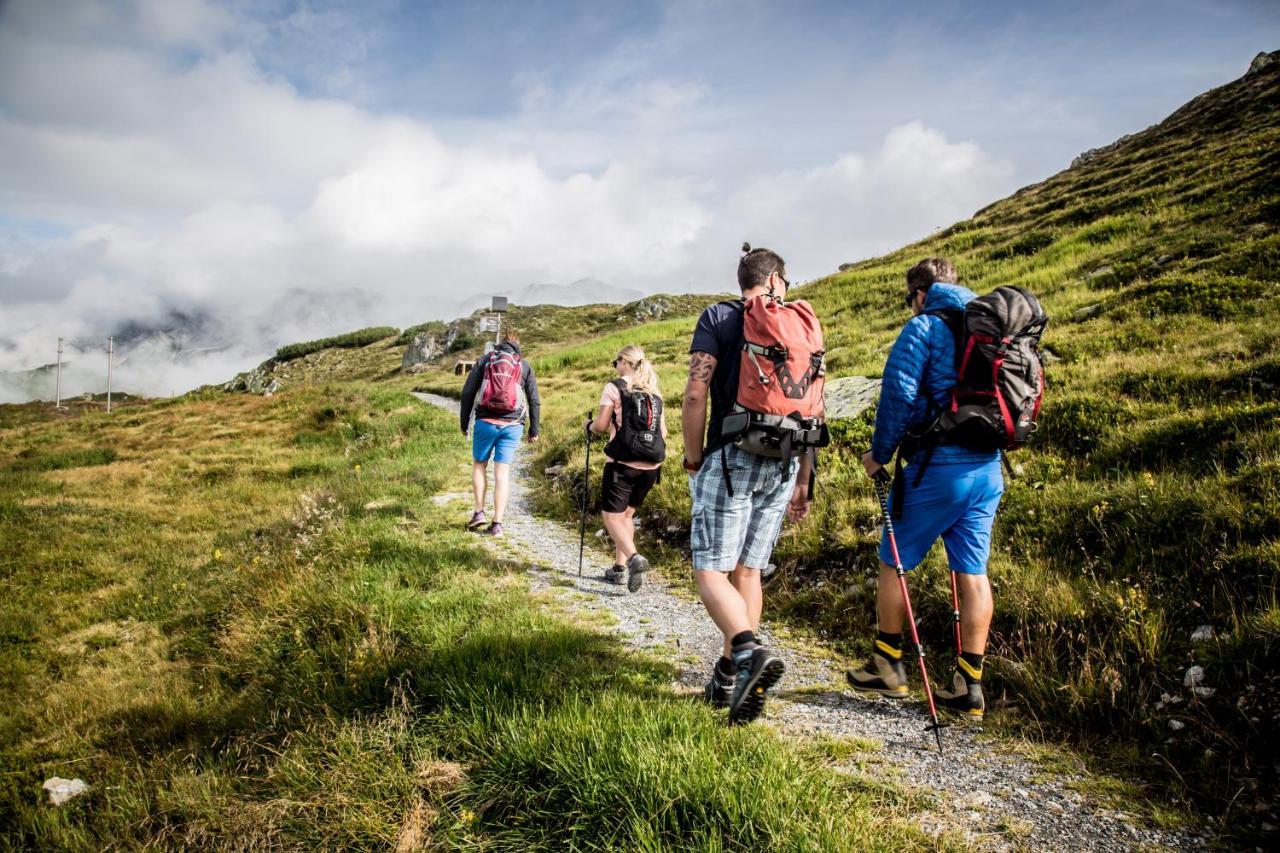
<point>779,410</point>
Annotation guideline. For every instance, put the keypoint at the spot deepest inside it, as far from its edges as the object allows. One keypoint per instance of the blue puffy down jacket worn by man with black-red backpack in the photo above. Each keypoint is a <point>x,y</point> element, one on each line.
<point>924,362</point>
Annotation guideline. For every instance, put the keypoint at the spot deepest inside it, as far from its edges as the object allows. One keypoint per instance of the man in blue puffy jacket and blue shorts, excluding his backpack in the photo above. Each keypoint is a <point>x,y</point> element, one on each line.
<point>957,499</point>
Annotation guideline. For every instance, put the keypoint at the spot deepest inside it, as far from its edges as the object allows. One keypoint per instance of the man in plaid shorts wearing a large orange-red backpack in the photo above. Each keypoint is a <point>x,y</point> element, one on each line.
<point>749,468</point>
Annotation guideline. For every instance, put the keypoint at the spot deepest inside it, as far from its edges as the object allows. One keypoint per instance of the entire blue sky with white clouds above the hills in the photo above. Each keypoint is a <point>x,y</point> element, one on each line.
<point>292,168</point>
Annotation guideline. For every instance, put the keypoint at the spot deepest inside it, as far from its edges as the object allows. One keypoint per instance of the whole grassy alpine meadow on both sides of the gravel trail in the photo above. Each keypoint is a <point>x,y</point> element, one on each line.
<point>255,621</point>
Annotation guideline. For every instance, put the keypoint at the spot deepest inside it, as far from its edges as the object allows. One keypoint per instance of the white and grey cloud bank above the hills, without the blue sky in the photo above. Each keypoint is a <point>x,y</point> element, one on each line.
<point>143,185</point>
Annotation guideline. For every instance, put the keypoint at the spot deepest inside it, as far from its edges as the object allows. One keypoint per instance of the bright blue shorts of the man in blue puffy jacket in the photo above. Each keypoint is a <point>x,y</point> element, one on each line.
<point>957,501</point>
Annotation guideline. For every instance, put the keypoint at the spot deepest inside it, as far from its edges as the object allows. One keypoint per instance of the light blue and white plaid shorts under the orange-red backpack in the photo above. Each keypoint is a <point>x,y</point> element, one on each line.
<point>739,530</point>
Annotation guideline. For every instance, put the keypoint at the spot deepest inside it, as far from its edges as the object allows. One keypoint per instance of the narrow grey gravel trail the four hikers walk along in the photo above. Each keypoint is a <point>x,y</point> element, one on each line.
<point>996,797</point>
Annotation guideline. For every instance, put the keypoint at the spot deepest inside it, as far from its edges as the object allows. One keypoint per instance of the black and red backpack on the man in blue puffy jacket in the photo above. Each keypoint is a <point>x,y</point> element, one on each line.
<point>1000,380</point>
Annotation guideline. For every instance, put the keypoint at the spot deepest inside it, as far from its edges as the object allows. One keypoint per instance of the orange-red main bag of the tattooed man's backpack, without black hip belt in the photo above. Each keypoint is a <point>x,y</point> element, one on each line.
<point>783,368</point>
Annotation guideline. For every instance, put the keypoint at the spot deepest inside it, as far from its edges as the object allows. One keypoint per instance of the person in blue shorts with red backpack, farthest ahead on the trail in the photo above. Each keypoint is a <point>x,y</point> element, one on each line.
<point>499,394</point>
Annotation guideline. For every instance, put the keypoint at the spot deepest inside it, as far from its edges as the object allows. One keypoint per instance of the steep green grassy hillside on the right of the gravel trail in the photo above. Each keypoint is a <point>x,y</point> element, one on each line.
<point>1149,504</point>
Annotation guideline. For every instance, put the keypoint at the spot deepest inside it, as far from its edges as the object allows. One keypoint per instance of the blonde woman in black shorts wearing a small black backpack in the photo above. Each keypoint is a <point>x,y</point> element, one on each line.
<point>632,413</point>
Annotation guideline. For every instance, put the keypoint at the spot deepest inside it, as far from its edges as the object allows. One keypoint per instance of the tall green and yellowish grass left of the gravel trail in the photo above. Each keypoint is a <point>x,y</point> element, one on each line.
<point>255,630</point>
